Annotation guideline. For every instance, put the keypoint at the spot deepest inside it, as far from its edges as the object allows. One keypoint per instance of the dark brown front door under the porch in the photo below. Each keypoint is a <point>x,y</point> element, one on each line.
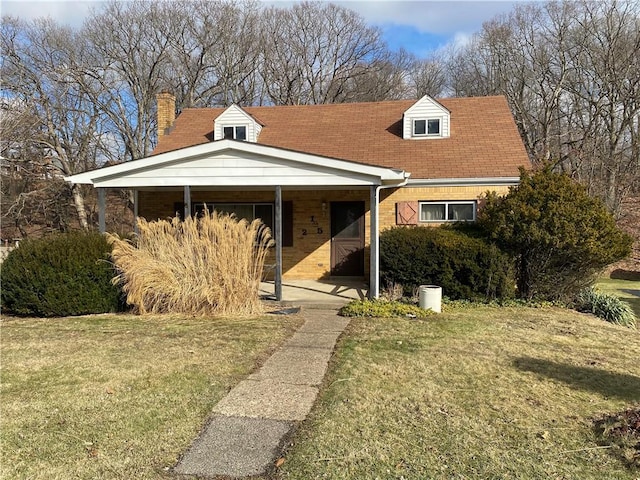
<point>347,239</point>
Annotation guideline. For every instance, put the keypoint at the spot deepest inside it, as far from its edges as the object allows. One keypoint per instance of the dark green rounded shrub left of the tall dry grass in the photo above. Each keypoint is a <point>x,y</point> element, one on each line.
<point>60,275</point>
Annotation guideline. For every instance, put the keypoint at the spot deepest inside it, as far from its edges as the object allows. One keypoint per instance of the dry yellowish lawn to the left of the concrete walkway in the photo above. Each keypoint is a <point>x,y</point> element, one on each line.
<point>117,396</point>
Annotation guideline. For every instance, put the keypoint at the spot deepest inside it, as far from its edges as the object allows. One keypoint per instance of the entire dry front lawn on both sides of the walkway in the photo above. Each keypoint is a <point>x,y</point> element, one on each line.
<point>472,393</point>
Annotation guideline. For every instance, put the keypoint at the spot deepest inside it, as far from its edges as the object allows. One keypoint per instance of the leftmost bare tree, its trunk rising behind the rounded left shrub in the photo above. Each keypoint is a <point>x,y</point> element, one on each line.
<point>40,74</point>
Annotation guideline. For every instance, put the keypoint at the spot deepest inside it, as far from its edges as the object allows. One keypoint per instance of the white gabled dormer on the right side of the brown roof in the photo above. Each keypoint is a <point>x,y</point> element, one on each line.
<point>426,119</point>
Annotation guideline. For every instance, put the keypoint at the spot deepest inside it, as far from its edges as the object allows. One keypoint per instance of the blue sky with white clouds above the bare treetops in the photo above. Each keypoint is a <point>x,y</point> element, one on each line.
<point>418,26</point>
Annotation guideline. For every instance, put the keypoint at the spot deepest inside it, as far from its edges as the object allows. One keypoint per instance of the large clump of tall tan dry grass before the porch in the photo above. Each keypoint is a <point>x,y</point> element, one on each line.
<point>210,265</point>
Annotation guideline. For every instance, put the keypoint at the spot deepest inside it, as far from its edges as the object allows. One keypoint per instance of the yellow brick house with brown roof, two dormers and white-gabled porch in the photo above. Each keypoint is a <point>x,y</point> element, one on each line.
<point>326,178</point>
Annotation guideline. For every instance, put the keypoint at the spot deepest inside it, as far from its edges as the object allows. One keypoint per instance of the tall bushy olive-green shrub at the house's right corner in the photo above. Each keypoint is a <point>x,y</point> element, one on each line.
<point>559,236</point>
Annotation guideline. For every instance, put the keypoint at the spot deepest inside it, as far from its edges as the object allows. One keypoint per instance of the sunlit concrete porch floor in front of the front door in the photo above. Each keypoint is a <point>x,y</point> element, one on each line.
<point>319,293</point>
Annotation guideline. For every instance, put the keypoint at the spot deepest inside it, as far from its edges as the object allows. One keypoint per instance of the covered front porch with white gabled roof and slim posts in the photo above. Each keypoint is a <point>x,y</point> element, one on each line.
<point>224,169</point>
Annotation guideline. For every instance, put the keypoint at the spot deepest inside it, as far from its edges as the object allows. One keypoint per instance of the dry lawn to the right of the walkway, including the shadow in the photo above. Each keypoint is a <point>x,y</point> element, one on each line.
<point>490,393</point>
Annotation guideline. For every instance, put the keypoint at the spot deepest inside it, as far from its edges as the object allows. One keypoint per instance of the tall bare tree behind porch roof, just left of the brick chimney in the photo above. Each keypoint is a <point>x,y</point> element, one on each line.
<point>129,44</point>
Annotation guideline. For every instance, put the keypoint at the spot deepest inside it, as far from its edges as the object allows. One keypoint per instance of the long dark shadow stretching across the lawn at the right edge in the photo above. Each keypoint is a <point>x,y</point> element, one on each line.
<point>622,386</point>
